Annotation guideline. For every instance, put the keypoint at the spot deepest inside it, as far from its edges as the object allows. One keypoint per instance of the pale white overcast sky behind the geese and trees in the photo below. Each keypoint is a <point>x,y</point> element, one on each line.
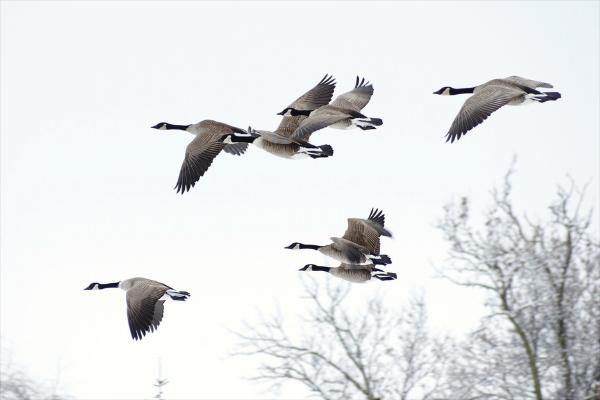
<point>87,185</point>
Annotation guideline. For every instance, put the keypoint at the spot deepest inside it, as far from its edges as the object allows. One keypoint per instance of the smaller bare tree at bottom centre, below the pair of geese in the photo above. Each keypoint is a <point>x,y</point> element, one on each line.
<point>348,352</point>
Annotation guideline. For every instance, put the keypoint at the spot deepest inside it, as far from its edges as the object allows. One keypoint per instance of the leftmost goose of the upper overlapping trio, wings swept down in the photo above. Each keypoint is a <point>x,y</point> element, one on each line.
<point>211,138</point>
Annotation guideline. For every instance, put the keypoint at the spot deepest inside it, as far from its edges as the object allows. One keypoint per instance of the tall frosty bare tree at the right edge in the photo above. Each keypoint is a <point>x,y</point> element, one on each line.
<point>542,279</point>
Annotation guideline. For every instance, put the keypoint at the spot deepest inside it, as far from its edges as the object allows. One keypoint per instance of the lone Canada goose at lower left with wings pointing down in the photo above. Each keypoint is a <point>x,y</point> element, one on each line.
<point>145,302</point>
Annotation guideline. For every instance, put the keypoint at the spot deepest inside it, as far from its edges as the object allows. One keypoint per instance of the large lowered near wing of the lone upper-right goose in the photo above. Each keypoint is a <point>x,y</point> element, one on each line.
<point>480,106</point>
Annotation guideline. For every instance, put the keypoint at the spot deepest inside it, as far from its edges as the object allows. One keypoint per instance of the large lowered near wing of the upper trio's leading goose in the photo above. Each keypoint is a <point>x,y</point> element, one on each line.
<point>199,155</point>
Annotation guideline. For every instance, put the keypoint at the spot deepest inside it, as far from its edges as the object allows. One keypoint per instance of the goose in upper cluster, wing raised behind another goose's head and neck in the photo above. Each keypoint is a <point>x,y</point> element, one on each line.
<point>280,142</point>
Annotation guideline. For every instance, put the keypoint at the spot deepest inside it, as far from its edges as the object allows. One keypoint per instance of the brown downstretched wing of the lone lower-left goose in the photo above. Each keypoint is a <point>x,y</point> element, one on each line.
<point>144,308</point>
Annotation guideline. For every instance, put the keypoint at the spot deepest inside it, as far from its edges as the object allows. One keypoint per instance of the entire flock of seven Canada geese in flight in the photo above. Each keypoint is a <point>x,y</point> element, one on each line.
<point>358,250</point>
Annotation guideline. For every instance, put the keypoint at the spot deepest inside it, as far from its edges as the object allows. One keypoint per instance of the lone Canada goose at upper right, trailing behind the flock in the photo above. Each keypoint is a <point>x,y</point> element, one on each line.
<point>489,97</point>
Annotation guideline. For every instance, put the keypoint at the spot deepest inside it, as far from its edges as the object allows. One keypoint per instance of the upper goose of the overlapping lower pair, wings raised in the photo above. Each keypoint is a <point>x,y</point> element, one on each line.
<point>360,243</point>
